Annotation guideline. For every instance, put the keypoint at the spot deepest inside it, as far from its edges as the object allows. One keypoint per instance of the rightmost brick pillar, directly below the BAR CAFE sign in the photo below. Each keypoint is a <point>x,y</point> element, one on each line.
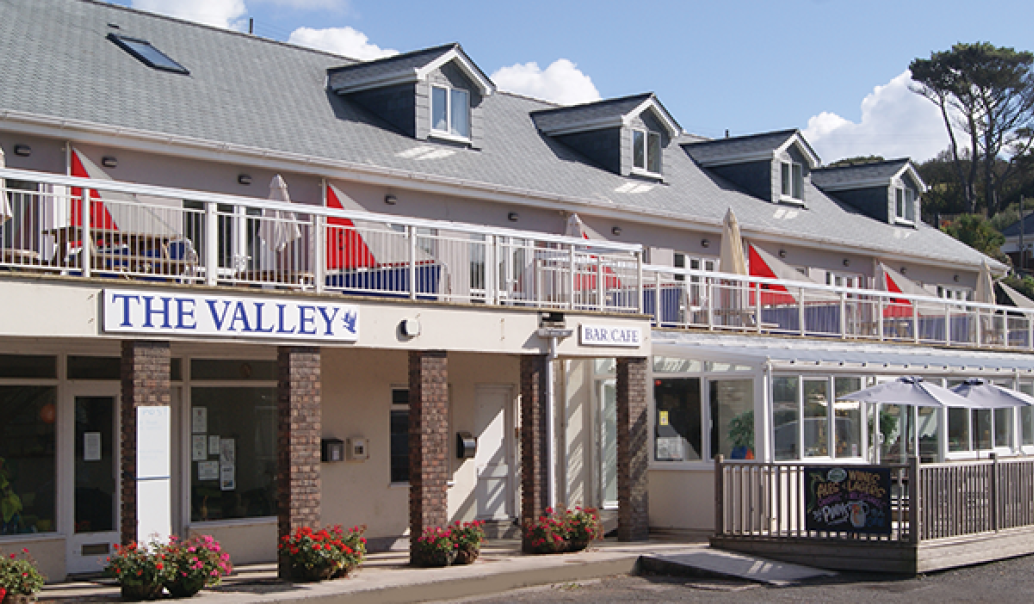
<point>633,454</point>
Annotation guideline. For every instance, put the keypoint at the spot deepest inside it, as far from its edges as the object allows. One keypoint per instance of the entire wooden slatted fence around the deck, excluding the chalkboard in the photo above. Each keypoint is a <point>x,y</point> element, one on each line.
<point>929,502</point>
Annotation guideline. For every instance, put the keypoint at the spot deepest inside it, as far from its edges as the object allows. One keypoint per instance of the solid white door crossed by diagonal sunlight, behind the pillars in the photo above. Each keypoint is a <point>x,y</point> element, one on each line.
<point>494,428</point>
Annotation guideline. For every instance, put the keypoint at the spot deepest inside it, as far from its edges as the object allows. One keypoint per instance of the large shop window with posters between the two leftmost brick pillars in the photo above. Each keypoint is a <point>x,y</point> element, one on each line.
<point>233,459</point>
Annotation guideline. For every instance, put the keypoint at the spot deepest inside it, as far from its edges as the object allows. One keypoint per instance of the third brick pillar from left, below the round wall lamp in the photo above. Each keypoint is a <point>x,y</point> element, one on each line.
<point>429,442</point>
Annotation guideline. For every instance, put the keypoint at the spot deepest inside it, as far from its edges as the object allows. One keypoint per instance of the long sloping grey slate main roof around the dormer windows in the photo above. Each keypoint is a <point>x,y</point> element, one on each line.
<point>56,64</point>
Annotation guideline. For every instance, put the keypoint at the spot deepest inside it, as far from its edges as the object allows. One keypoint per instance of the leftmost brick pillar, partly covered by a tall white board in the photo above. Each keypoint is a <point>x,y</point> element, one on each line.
<point>146,382</point>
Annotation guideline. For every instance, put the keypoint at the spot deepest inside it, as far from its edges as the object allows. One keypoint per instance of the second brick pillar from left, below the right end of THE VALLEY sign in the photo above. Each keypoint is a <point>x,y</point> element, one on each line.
<point>298,401</point>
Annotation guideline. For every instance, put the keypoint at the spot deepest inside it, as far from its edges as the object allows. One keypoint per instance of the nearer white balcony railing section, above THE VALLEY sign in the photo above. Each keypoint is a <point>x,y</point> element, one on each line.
<point>106,229</point>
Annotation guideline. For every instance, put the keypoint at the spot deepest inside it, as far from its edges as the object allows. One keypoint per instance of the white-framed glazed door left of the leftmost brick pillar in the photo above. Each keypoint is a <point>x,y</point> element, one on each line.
<point>94,516</point>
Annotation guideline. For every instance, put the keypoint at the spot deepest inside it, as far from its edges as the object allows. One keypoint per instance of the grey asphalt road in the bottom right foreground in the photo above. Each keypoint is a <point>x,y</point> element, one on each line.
<point>1003,583</point>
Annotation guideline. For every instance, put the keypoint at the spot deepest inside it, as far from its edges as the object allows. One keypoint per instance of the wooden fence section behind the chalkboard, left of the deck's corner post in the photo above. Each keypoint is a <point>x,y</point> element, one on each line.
<point>769,501</point>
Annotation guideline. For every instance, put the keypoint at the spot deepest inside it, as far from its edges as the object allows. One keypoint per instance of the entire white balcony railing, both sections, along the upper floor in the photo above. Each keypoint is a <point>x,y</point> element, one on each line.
<point>148,233</point>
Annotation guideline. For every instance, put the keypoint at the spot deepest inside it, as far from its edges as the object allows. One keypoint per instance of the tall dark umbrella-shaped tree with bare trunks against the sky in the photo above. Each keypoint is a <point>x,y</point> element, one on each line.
<point>988,94</point>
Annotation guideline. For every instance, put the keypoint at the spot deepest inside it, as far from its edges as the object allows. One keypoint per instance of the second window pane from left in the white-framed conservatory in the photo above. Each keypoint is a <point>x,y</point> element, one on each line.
<point>733,418</point>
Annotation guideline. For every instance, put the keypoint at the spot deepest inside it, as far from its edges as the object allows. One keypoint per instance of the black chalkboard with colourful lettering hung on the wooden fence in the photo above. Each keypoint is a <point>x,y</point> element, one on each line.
<point>847,500</point>
